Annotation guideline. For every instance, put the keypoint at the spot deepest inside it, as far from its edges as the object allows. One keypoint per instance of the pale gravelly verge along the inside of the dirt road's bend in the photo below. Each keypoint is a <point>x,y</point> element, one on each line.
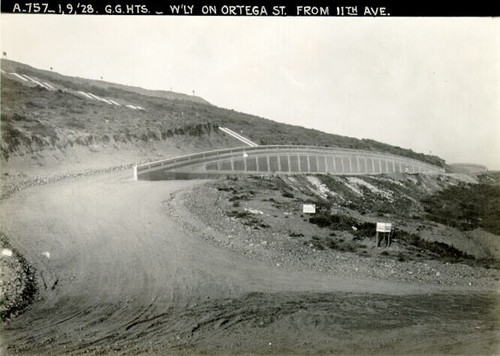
<point>287,239</point>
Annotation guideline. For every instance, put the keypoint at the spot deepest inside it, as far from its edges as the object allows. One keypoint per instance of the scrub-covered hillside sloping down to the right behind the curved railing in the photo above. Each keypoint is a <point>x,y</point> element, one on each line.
<point>37,119</point>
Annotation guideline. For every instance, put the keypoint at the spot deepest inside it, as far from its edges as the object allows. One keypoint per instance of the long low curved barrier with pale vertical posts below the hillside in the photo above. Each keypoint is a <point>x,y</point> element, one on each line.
<point>264,160</point>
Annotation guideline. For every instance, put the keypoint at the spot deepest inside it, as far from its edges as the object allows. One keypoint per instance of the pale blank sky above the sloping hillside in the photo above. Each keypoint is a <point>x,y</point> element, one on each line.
<point>429,84</point>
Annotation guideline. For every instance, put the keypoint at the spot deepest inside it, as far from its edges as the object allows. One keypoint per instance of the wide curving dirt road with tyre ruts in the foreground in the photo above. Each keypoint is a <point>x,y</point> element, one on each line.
<point>116,273</point>
